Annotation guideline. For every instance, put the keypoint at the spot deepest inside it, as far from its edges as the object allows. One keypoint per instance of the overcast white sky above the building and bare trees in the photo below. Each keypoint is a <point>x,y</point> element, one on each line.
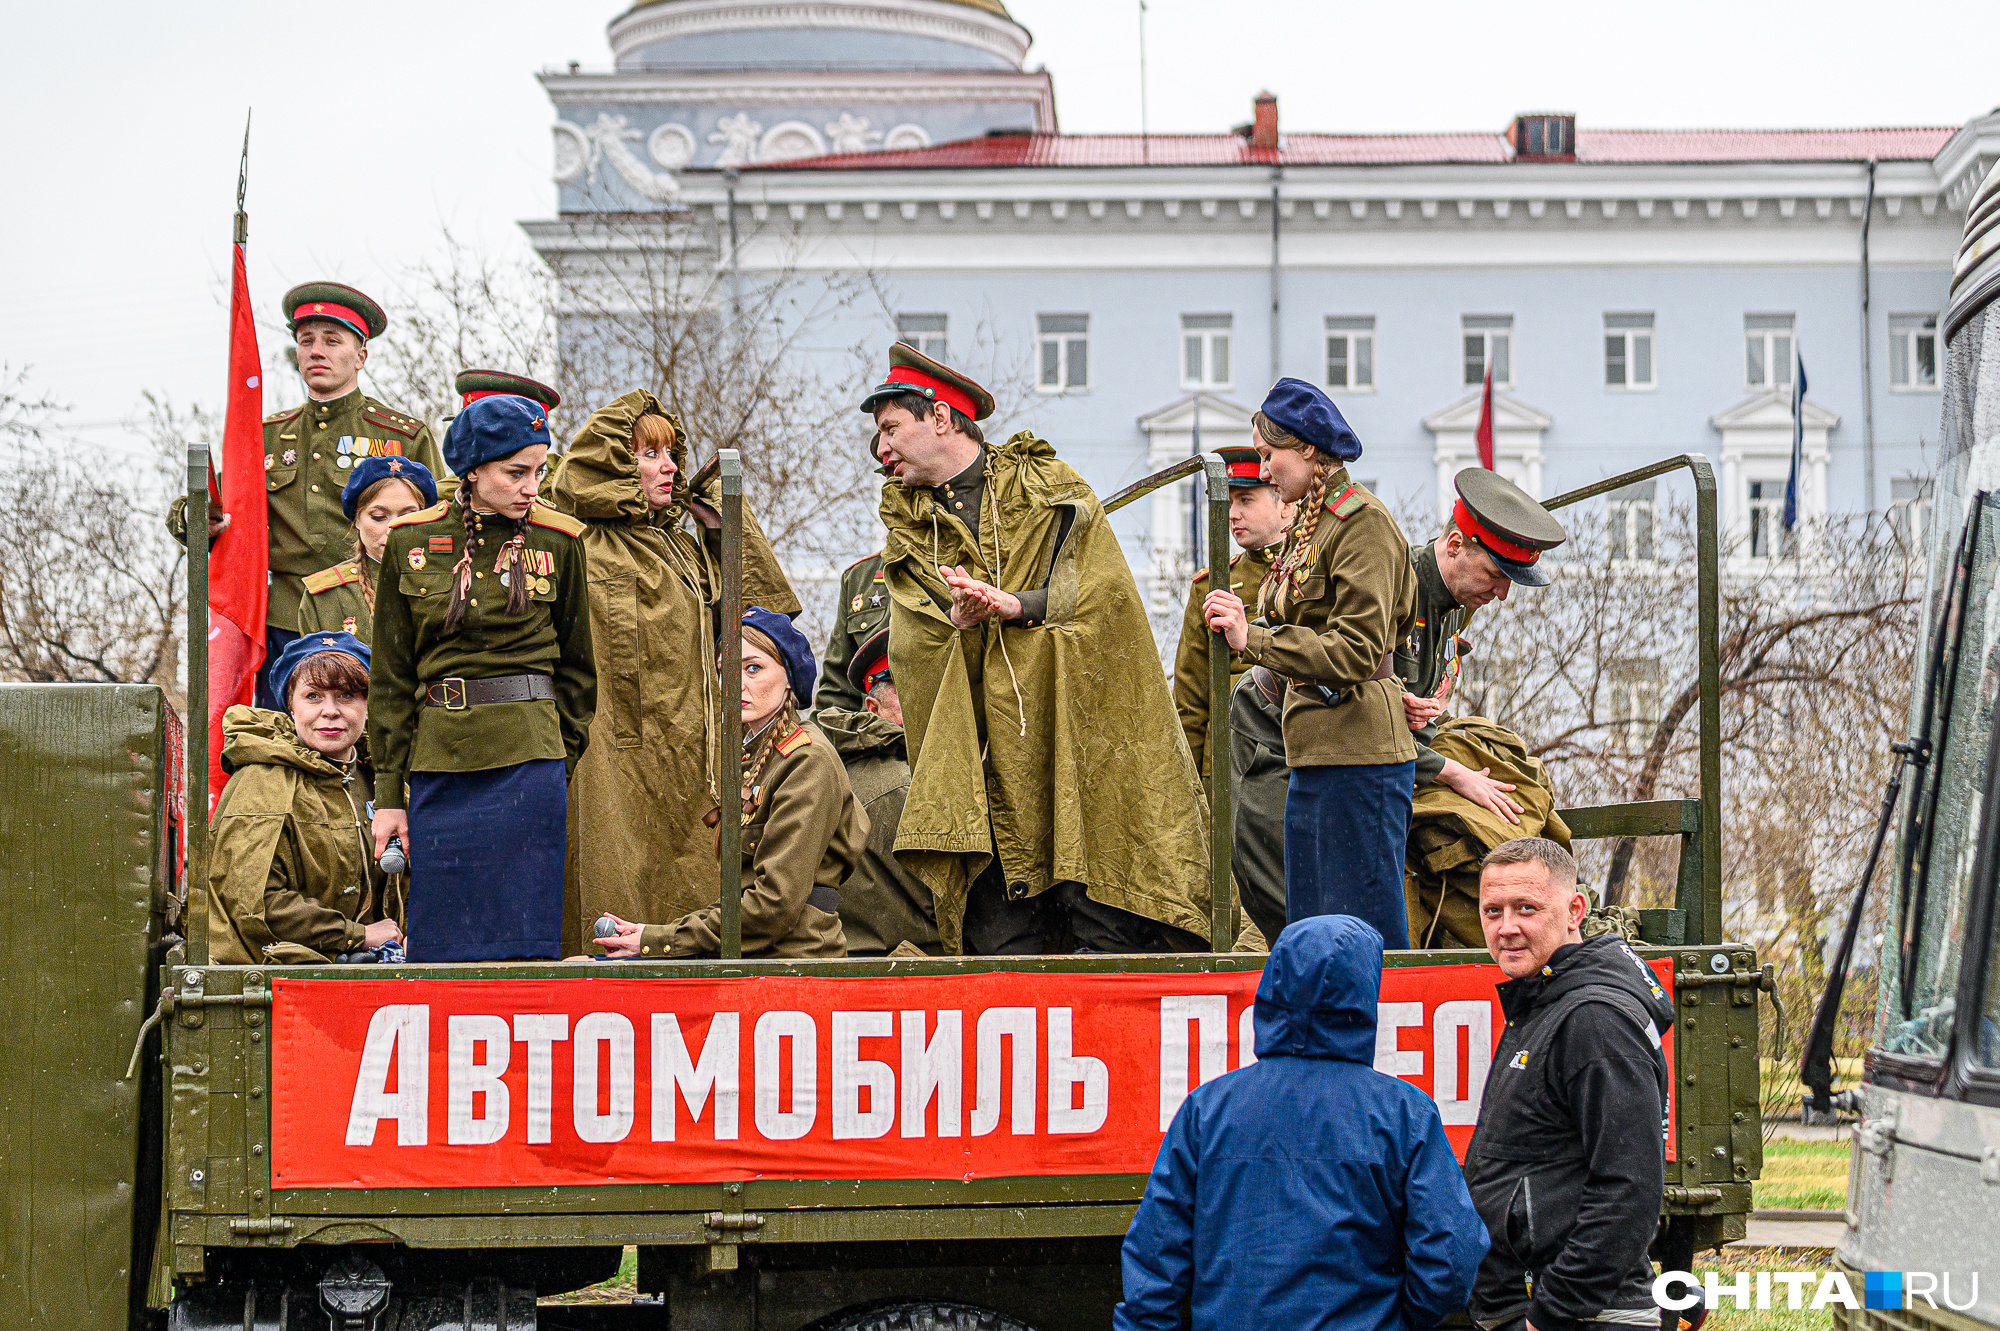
<point>381,123</point>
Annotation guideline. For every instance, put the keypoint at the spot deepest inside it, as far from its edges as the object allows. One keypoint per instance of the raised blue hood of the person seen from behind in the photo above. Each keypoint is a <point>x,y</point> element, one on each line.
<point>1319,992</point>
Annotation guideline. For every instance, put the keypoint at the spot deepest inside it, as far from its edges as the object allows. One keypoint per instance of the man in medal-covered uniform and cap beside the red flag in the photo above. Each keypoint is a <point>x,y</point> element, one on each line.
<point>311,449</point>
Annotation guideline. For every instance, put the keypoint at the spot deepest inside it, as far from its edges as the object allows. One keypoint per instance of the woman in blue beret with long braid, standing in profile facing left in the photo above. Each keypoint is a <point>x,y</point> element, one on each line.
<point>1337,605</point>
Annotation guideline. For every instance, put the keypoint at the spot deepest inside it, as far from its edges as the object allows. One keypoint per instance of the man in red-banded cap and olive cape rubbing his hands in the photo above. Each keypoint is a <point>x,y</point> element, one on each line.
<point>1013,619</point>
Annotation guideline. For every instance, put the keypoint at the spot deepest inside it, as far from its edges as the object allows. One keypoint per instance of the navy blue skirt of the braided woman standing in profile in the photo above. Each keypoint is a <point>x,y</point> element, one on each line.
<point>1345,836</point>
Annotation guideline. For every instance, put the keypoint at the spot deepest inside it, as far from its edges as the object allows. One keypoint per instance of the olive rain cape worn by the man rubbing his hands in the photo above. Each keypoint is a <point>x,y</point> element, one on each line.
<point>1087,774</point>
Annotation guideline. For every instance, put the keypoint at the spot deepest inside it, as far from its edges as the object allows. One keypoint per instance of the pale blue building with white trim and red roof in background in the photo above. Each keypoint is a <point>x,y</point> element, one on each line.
<point>1635,293</point>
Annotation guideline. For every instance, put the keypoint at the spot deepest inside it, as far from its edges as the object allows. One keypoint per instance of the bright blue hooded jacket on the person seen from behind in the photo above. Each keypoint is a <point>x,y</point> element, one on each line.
<point>1307,1190</point>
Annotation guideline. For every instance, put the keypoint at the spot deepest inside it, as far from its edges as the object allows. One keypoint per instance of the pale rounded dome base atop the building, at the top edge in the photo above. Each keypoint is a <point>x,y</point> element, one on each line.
<point>819,35</point>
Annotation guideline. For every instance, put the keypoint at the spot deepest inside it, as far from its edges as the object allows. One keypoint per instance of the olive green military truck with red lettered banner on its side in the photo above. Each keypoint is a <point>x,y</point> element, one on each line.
<point>859,1144</point>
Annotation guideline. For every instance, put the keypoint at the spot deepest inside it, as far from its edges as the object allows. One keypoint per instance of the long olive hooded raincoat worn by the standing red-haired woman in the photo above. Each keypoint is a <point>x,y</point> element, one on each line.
<point>637,800</point>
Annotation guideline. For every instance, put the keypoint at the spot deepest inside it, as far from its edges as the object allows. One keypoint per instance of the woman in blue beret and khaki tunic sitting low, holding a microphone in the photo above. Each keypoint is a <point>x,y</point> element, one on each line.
<point>805,832</point>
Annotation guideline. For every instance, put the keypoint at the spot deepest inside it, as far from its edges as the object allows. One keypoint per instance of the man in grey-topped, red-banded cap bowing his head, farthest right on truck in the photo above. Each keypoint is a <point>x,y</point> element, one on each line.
<point>1493,543</point>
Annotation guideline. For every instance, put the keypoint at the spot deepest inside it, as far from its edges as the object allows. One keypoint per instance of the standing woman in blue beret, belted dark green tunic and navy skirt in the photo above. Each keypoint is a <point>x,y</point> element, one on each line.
<point>485,692</point>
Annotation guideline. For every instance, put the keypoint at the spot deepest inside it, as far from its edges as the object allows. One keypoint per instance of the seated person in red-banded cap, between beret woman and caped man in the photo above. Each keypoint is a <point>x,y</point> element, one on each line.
<point>885,908</point>
